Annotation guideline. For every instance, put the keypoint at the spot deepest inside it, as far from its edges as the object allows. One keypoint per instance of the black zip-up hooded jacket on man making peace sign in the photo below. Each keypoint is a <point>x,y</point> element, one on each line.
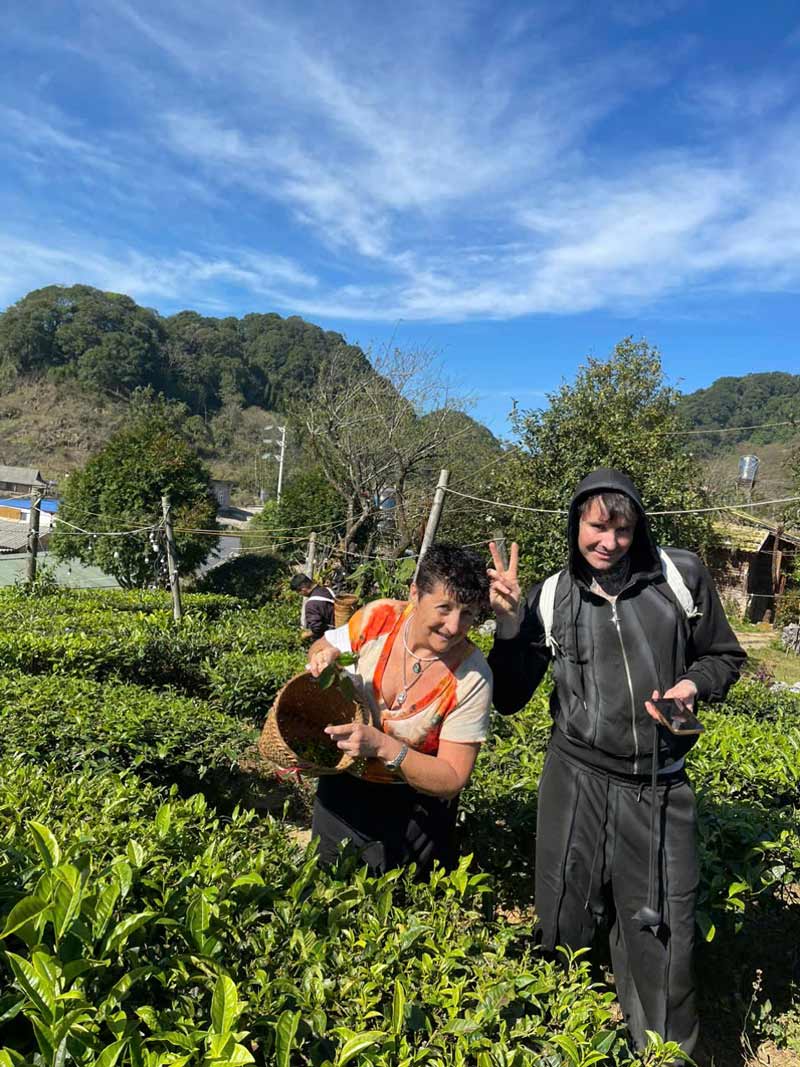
<point>614,656</point>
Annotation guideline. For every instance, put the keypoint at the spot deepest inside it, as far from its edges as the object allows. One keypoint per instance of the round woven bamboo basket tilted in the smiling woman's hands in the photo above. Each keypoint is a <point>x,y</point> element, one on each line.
<point>294,735</point>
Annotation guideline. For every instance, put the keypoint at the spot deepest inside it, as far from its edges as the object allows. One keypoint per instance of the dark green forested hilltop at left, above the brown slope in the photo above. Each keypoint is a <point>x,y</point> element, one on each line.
<point>109,344</point>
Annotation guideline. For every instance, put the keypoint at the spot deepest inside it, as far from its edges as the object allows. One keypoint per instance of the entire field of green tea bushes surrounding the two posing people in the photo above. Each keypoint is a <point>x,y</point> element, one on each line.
<point>147,920</point>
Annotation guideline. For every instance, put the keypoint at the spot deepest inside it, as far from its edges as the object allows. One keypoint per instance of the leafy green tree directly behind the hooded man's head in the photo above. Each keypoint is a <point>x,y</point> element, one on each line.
<point>618,413</point>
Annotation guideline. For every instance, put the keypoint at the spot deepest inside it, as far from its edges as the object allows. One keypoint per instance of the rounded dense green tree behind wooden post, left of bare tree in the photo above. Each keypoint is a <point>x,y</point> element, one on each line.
<point>119,491</point>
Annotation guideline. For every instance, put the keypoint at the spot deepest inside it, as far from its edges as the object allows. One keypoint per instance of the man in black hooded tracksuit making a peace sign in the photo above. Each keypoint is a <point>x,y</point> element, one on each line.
<point>611,849</point>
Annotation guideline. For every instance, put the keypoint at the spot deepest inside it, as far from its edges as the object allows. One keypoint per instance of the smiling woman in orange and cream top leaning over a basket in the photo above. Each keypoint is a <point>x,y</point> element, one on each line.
<point>429,692</point>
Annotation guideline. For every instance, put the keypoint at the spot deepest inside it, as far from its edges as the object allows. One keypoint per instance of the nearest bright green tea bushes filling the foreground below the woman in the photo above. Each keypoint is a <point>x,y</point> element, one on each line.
<point>167,935</point>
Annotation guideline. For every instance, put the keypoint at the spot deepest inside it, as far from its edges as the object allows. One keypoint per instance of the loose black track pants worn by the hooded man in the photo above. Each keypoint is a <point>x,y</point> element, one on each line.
<point>593,865</point>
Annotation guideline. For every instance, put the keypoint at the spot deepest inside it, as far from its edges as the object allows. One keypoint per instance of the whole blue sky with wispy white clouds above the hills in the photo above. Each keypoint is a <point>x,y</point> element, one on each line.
<point>514,186</point>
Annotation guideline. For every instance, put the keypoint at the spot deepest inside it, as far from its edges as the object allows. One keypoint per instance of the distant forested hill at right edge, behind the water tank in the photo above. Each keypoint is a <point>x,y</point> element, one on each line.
<point>751,401</point>
